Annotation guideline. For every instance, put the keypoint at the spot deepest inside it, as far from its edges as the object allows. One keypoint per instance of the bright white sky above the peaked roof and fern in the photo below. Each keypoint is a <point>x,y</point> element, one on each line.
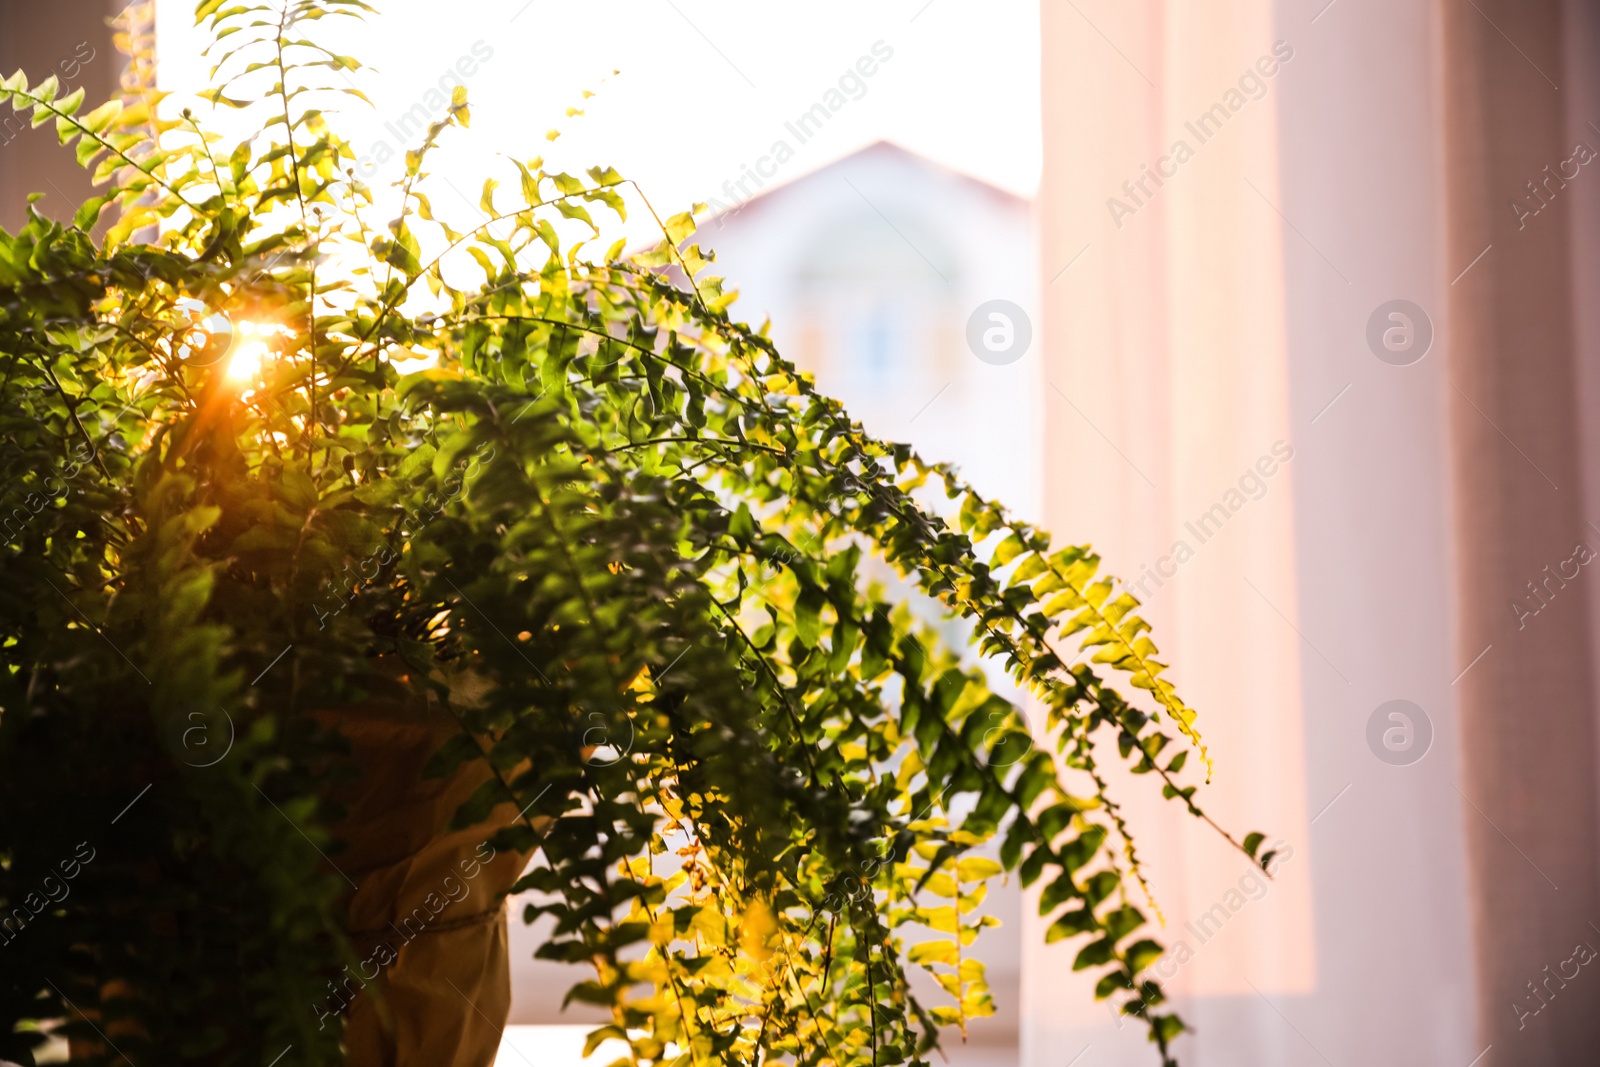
<point>705,87</point>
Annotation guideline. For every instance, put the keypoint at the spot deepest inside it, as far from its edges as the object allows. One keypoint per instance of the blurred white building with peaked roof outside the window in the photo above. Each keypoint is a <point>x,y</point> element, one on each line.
<point>870,271</point>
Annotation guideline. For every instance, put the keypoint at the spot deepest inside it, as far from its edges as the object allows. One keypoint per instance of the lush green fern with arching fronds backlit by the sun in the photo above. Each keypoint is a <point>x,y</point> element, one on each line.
<point>607,502</point>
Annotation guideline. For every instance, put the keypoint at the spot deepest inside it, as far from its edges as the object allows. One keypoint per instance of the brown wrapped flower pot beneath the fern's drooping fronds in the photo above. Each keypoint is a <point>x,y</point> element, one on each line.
<point>428,916</point>
